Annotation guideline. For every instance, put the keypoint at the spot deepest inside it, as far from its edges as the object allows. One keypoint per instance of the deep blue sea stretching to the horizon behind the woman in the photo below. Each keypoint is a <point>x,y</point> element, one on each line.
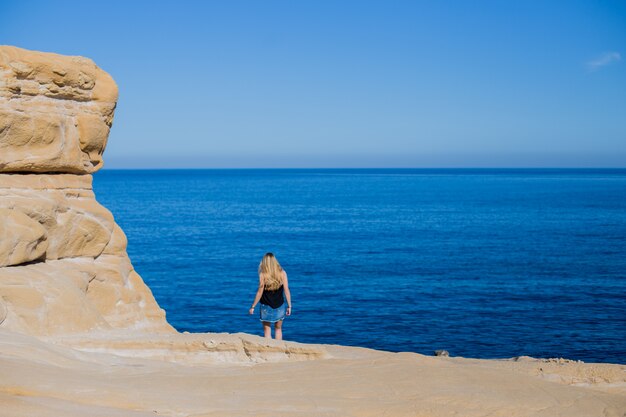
<point>483,263</point>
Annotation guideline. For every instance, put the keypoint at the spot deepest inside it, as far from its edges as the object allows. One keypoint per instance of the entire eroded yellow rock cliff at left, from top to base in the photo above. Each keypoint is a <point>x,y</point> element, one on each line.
<point>63,262</point>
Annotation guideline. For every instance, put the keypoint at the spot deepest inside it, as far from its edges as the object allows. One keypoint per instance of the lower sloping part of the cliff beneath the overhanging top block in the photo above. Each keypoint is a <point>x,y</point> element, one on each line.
<point>87,281</point>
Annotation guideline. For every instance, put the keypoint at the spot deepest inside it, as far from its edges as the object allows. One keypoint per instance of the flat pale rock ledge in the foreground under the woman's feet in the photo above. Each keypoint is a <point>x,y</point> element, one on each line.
<point>181,375</point>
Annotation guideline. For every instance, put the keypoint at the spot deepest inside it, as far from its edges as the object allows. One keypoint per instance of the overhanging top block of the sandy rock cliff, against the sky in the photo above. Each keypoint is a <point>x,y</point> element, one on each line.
<point>55,112</point>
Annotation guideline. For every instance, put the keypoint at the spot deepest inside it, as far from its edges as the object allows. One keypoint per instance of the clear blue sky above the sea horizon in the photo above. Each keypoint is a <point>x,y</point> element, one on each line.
<point>349,84</point>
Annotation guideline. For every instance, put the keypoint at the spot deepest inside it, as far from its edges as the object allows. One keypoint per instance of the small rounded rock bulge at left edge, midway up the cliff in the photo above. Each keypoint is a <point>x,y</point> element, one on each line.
<point>22,239</point>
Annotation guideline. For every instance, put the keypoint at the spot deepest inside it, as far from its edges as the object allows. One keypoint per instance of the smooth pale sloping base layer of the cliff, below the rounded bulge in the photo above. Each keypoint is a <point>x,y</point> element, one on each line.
<point>78,295</point>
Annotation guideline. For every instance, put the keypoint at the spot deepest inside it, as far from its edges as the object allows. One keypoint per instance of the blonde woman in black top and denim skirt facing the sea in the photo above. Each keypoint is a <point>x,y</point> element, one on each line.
<point>273,289</point>
